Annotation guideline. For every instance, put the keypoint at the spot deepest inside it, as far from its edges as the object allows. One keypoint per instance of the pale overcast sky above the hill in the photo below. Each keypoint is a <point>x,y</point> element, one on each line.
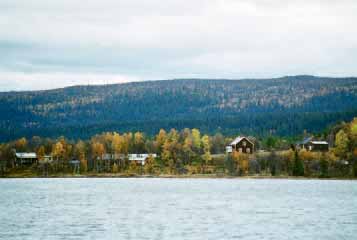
<point>47,44</point>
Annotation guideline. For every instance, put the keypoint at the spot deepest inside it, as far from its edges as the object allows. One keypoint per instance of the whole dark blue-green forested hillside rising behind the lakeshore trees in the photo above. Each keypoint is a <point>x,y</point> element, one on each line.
<point>284,106</point>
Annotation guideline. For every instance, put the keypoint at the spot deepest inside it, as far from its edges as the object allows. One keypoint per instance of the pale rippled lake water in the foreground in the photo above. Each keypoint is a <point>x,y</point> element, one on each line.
<point>177,209</point>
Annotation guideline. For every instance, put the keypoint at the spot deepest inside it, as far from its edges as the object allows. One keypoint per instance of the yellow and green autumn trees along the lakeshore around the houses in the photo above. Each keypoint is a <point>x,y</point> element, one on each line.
<point>185,152</point>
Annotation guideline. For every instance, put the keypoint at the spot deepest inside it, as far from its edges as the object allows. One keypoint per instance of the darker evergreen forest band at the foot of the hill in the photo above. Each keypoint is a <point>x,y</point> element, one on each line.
<point>259,125</point>
